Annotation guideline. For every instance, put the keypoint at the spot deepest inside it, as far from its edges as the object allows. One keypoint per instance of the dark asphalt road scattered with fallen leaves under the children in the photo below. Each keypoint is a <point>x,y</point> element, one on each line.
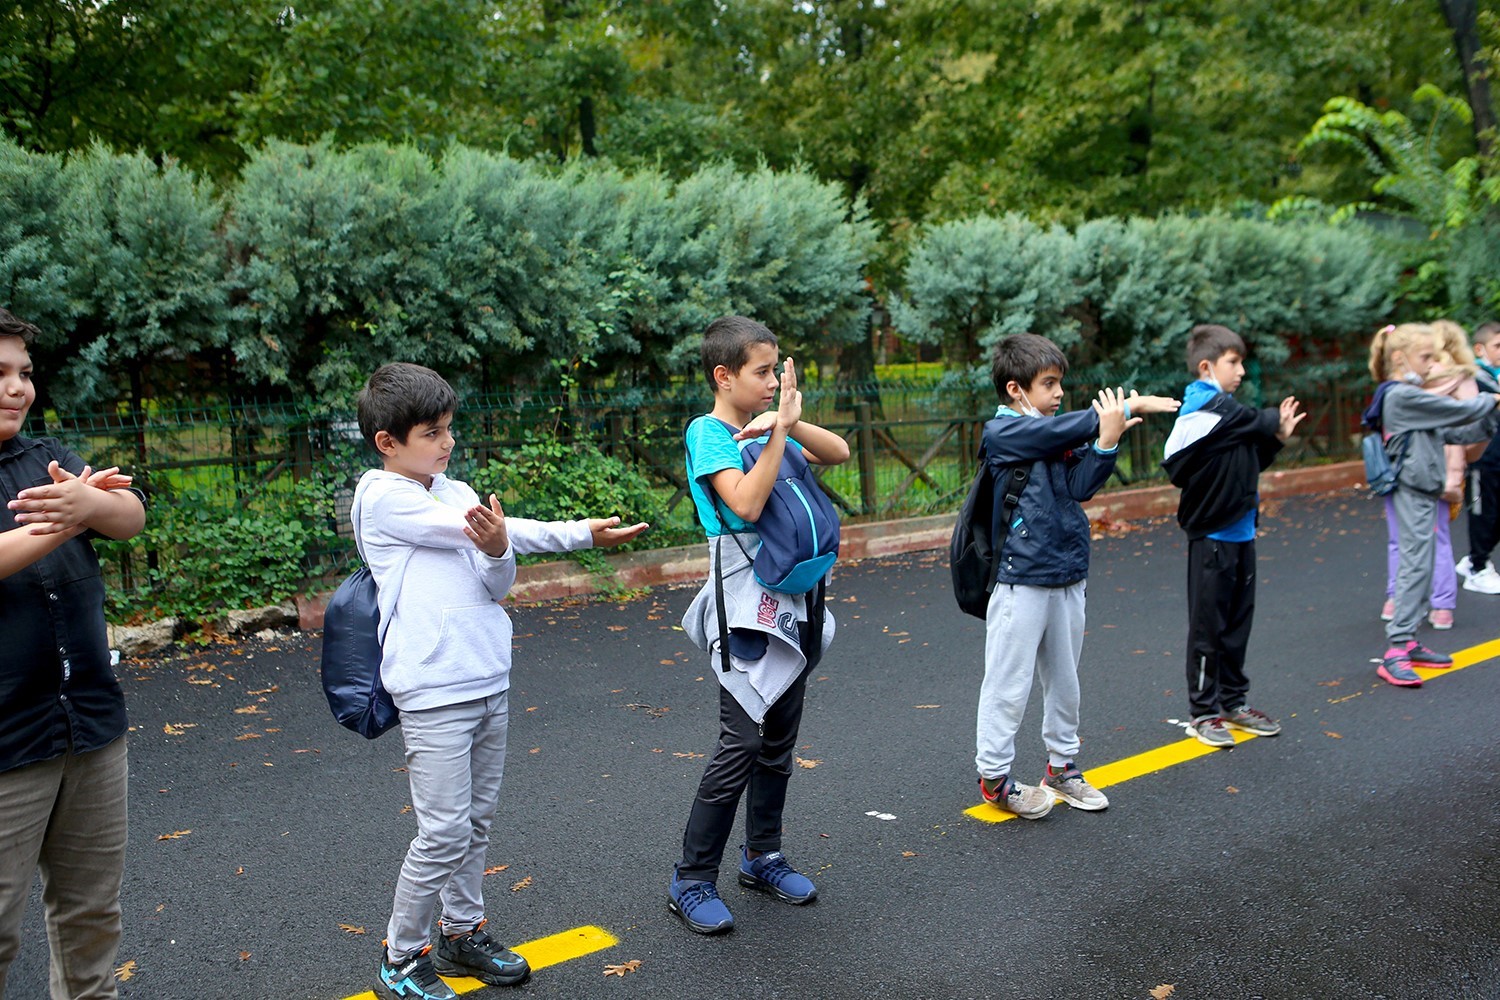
<point>1352,857</point>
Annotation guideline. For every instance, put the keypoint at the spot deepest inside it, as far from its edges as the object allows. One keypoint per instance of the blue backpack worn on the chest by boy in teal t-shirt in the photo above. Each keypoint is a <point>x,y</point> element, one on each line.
<point>799,525</point>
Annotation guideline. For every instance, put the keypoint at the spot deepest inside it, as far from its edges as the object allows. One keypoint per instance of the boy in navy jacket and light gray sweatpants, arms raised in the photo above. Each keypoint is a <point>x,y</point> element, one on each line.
<point>1034,624</point>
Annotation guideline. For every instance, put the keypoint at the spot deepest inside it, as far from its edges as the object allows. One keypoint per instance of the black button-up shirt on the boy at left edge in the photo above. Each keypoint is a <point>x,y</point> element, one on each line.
<point>56,686</point>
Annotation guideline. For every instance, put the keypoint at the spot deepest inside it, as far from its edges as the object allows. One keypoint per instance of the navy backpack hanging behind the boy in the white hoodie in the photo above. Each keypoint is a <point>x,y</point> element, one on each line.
<point>352,656</point>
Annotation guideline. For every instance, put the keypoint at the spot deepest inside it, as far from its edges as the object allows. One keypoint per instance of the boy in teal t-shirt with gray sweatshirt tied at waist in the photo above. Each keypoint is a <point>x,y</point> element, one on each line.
<point>775,639</point>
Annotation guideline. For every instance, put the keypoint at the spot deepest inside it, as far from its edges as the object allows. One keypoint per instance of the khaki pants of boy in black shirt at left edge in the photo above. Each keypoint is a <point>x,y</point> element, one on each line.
<point>67,818</point>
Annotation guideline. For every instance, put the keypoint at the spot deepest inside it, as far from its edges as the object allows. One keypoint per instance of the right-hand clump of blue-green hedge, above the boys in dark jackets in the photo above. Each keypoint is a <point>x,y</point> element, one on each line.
<point>1127,292</point>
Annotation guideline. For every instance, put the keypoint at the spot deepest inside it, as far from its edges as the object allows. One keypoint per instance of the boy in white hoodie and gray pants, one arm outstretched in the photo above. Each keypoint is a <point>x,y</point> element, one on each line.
<point>443,561</point>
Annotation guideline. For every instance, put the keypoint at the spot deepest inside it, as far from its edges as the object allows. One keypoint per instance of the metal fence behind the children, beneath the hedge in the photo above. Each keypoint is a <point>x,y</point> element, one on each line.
<point>913,445</point>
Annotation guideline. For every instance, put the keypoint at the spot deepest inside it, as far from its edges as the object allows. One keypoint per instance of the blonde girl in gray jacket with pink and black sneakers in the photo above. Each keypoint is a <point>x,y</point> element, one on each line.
<point>1417,425</point>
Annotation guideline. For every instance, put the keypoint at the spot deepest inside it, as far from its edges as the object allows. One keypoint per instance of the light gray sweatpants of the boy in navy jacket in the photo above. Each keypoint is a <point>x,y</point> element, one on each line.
<point>1030,632</point>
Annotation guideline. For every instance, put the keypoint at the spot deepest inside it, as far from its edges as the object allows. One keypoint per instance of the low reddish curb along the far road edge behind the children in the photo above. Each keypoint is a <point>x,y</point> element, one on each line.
<point>689,564</point>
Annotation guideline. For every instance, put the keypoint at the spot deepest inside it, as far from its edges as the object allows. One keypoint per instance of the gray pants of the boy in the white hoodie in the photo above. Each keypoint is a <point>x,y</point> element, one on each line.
<point>455,761</point>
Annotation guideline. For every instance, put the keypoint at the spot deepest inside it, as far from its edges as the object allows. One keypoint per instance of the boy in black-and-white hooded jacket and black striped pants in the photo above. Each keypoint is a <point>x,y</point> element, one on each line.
<point>1216,455</point>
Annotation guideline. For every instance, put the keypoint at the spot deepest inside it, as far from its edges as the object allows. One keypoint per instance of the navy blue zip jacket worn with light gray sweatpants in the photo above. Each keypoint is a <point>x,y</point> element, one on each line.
<point>1049,539</point>
